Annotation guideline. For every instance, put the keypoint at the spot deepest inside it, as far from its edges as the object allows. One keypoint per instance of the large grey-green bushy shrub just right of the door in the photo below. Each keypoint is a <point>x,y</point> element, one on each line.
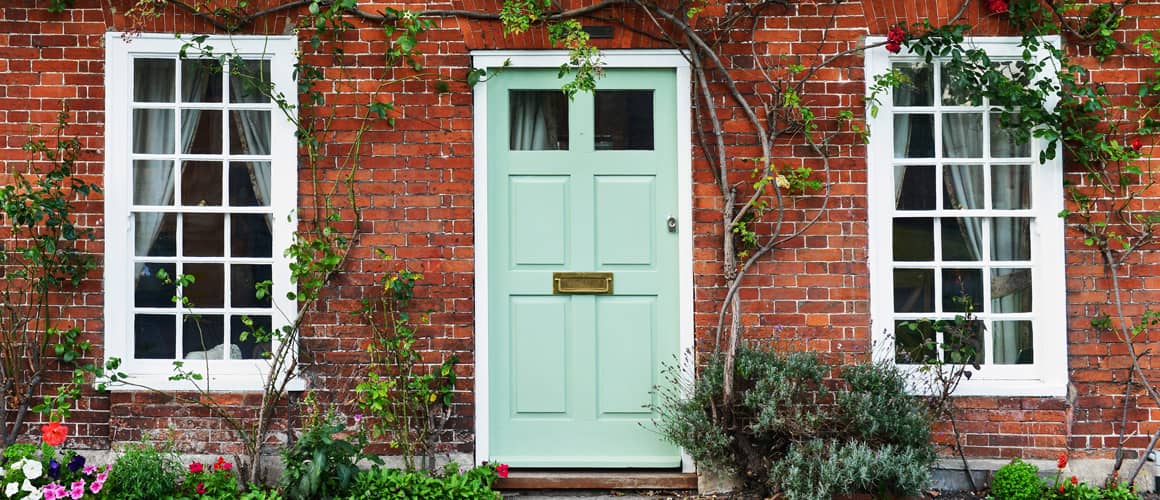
<point>793,432</point>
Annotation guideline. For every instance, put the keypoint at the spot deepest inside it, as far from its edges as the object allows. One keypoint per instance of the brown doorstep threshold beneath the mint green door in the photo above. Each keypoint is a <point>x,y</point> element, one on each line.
<point>593,480</point>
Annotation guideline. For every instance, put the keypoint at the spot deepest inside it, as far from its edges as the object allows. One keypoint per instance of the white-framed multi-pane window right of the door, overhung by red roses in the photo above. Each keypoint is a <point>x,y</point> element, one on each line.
<point>967,248</point>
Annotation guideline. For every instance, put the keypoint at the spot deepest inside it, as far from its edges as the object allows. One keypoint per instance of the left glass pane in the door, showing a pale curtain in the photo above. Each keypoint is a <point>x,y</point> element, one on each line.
<point>539,120</point>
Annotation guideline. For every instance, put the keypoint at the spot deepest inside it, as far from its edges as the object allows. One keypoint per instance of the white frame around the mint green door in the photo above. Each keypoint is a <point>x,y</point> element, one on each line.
<point>555,59</point>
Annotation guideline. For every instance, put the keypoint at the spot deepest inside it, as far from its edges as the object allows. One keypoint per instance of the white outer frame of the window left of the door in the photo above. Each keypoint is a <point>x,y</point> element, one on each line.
<point>121,50</point>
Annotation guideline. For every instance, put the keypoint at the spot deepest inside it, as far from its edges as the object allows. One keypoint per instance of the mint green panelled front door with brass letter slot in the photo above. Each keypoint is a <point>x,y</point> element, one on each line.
<point>582,186</point>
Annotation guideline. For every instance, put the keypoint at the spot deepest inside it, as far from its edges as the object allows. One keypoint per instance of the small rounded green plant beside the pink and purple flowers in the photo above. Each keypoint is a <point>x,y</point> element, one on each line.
<point>144,473</point>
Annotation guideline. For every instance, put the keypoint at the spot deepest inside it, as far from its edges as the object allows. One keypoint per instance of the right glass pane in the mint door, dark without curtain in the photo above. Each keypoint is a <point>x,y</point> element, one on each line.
<point>625,120</point>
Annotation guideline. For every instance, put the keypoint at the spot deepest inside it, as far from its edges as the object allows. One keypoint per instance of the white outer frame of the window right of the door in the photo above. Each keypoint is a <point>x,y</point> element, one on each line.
<point>1048,376</point>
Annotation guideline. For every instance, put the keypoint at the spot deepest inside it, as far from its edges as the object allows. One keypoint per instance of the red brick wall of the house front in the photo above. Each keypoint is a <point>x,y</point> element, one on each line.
<point>416,191</point>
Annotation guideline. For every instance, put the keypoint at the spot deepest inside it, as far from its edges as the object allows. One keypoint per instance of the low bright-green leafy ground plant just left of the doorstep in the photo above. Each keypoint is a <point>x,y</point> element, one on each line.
<point>386,484</point>
